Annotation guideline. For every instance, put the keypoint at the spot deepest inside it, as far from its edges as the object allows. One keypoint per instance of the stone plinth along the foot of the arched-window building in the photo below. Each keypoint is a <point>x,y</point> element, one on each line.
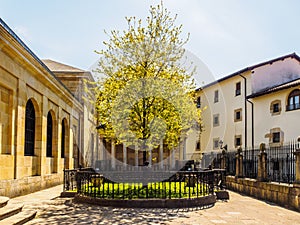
<point>26,185</point>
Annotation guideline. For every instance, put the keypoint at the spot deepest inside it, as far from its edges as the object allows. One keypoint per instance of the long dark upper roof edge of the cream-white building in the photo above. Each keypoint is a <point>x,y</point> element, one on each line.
<point>292,55</point>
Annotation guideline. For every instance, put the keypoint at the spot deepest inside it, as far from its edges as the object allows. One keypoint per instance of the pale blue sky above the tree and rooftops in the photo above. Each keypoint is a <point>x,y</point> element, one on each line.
<point>225,36</point>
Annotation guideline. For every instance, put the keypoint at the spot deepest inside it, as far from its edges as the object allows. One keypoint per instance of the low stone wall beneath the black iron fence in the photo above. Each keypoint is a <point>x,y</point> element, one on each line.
<point>284,195</point>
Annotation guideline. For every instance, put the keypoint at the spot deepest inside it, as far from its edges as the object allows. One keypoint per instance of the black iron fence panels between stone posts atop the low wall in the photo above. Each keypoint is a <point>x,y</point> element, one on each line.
<point>280,161</point>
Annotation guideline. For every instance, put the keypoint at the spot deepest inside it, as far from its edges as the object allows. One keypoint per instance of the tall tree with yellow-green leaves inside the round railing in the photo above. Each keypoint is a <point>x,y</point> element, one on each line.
<point>145,94</point>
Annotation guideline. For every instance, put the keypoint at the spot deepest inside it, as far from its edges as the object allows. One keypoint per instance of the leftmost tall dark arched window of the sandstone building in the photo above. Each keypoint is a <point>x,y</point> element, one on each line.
<point>29,129</point>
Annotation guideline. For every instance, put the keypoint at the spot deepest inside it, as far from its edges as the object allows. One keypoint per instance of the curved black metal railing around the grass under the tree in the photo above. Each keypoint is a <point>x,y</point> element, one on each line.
<point>146,184</point>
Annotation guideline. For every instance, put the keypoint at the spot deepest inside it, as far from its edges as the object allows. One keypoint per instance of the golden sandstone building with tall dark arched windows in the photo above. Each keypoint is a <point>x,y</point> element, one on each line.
<point>42,118</point>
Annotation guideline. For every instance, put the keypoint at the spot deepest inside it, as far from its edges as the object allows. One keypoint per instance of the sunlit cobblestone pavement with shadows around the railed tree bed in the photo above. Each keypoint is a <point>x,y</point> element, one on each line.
<point>238,210</point>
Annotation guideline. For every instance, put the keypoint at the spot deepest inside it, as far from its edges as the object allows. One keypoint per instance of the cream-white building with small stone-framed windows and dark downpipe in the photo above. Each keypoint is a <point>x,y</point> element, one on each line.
<point>254,105</point>
